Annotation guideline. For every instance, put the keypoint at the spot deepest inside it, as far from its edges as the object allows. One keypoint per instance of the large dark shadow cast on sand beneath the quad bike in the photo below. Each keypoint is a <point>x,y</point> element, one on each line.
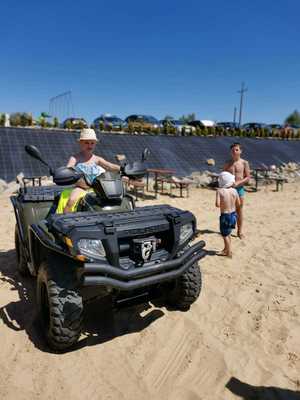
<point>101,323</point>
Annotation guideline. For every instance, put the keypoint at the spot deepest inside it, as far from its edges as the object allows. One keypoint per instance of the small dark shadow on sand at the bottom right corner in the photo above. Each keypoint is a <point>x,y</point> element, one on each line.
<point>249,392</point>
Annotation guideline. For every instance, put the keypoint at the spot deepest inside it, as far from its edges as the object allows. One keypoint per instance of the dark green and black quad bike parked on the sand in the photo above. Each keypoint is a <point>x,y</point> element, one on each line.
<point>108,247</point>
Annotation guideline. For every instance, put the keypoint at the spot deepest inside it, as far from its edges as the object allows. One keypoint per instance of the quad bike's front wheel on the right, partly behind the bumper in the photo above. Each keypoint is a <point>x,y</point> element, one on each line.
<point>187,289</point>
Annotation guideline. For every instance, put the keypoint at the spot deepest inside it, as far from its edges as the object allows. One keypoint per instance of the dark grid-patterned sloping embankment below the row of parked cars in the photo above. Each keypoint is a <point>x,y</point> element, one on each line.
<point>183,154</point>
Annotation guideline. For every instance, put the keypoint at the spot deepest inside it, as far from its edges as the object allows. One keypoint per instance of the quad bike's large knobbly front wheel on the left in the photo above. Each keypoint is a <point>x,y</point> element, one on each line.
<point>60,306</point>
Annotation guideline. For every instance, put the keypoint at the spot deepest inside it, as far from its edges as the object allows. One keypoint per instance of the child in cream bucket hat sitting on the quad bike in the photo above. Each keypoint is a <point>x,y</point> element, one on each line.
<point>88,163</point>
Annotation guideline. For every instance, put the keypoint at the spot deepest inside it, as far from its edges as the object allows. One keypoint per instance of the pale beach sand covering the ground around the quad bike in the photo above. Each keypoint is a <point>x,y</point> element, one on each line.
<point>243,330</point>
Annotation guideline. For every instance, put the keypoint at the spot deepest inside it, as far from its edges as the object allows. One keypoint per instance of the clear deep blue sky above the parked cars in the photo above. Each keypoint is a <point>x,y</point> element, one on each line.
<point>153,57</point>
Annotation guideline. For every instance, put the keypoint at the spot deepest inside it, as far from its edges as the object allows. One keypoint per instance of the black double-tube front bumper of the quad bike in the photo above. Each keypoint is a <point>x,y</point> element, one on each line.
<point>104,274</point>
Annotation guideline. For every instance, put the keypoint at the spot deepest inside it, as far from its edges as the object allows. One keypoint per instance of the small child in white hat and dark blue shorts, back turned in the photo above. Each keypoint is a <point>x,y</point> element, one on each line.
<point>228,200</point>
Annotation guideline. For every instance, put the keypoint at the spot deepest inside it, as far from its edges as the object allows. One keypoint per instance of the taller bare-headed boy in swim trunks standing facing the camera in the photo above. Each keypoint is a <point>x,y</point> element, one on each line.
<point>241,170</point>
